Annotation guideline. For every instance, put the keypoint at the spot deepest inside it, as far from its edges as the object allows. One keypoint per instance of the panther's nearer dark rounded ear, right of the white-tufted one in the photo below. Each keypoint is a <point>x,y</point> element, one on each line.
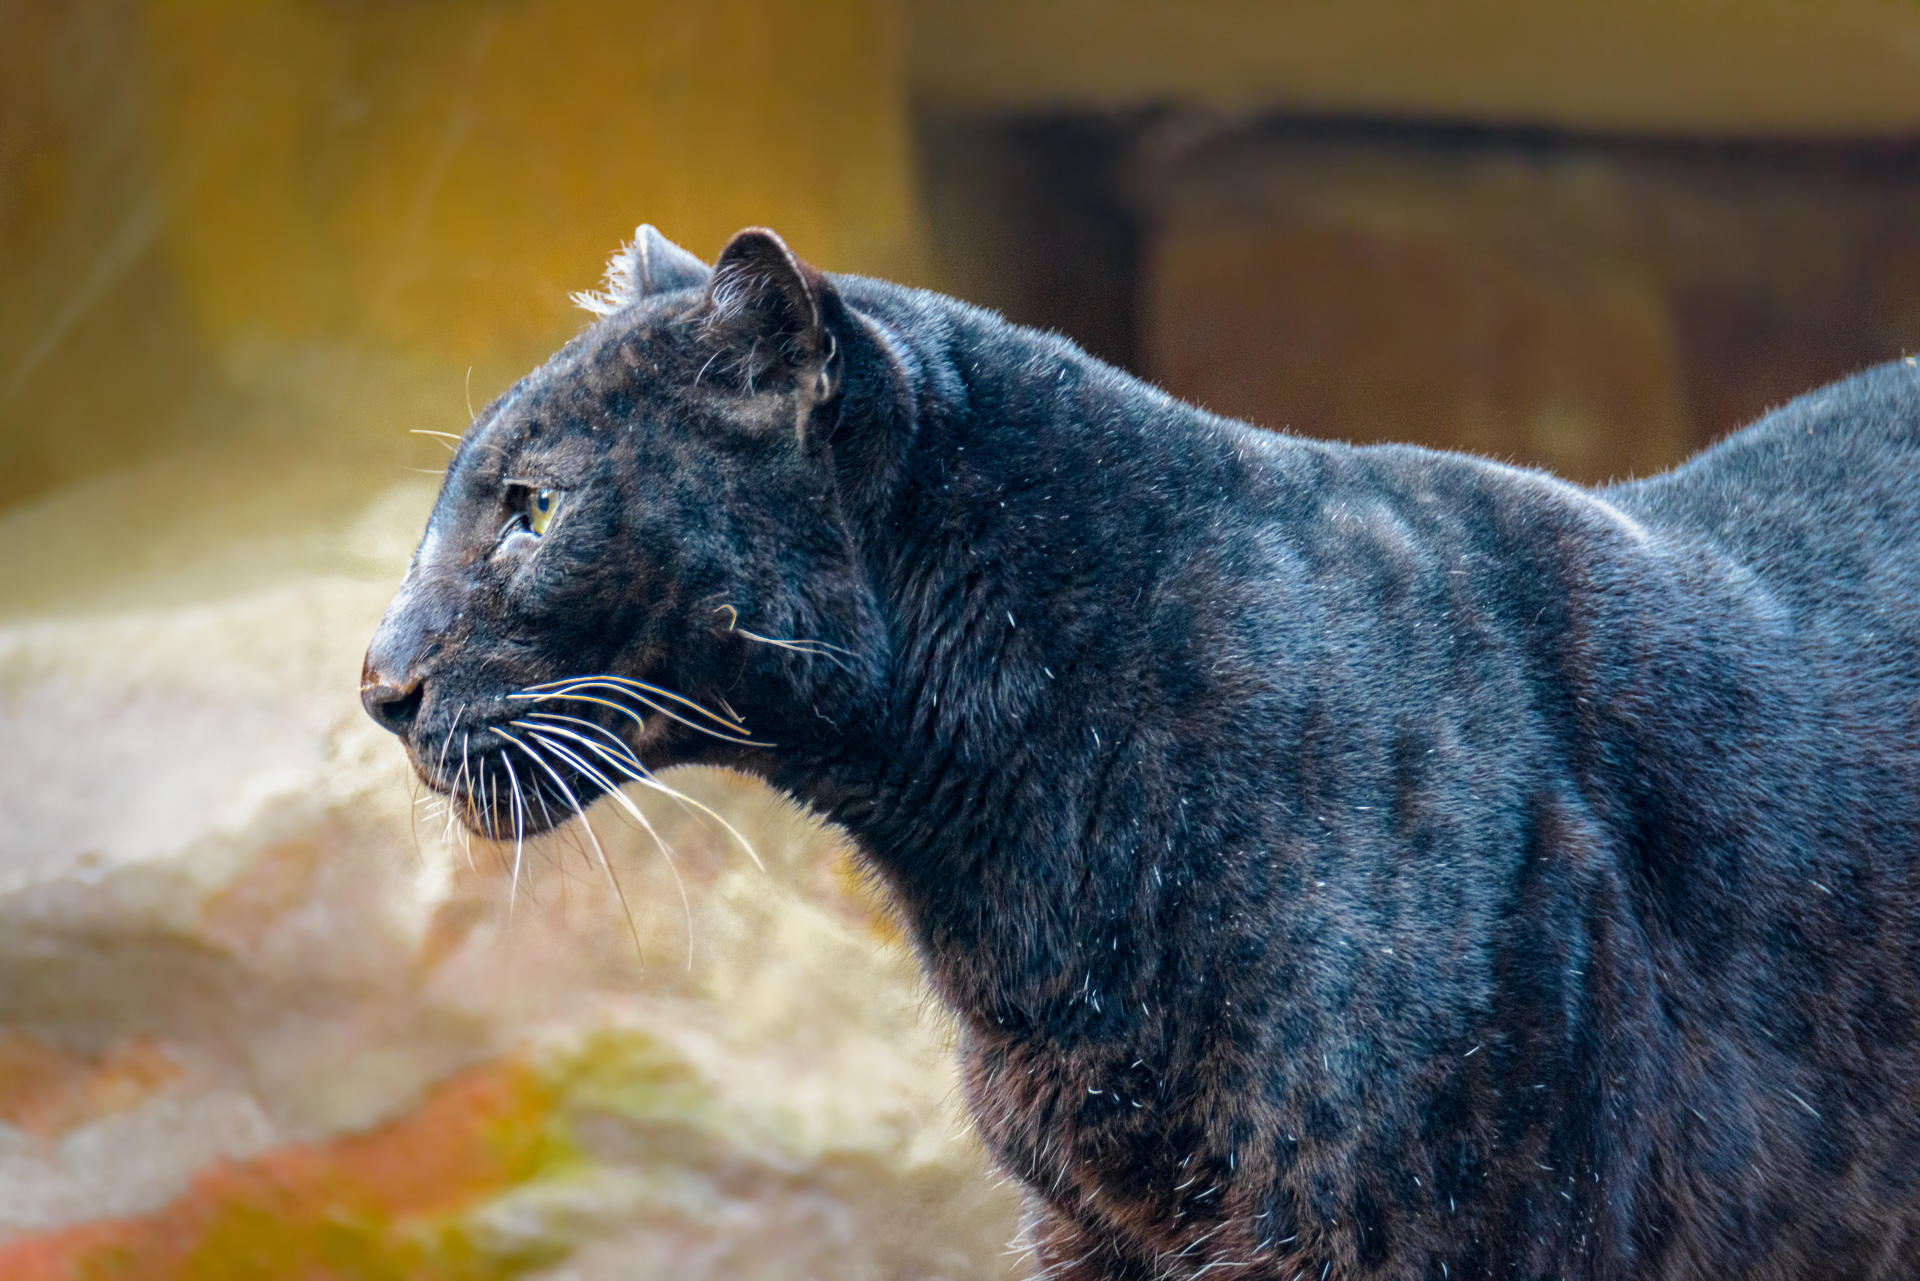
<point>771,312</point>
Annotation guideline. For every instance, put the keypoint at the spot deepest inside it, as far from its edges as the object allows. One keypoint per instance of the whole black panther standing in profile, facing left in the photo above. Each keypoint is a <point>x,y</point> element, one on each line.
<point>1343,863</point>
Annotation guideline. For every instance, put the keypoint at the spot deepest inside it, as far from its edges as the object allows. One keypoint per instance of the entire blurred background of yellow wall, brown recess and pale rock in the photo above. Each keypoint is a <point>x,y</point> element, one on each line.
<point>260,1015</point>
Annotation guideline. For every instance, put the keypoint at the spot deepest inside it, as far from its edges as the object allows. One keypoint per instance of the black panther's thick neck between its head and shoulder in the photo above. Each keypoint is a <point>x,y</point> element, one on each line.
<point>1017,788</point>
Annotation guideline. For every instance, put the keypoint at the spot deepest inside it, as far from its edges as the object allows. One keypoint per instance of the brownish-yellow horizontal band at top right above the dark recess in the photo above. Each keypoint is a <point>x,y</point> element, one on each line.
<point>1664,66</point>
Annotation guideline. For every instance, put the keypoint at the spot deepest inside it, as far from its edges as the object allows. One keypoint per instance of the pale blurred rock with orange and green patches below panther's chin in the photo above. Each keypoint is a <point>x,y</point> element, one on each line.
<point>264,1015</point>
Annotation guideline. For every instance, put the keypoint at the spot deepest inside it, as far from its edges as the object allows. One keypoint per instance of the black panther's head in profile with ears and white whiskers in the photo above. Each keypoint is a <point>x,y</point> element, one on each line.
<point>642,554</point>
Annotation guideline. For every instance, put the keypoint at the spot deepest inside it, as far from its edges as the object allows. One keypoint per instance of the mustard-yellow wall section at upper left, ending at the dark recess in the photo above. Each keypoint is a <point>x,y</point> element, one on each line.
<point>204,203</point>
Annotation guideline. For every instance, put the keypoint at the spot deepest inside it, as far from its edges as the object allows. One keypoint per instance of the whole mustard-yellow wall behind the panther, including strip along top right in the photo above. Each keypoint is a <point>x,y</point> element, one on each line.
<point>216,214</point>
